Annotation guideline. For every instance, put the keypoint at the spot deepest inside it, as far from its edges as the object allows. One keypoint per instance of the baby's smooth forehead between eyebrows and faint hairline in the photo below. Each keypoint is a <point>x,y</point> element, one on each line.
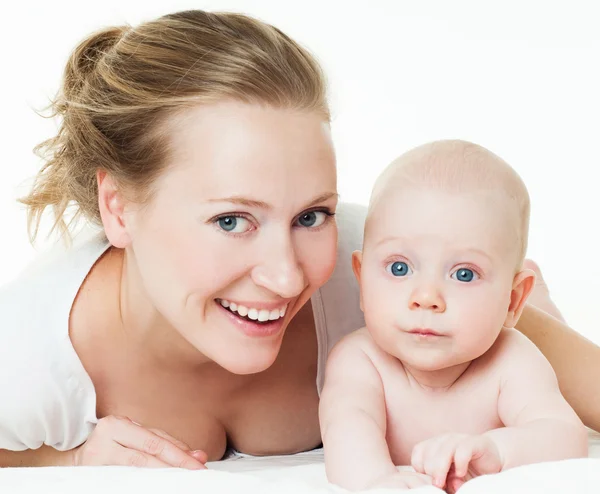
<point>429,219</point>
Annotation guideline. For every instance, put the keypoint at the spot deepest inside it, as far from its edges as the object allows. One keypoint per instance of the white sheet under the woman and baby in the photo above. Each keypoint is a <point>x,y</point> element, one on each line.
<point>287,474</point>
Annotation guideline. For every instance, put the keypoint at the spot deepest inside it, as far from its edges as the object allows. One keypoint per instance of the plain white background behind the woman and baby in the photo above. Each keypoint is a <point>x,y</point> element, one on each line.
<point>519,77</point>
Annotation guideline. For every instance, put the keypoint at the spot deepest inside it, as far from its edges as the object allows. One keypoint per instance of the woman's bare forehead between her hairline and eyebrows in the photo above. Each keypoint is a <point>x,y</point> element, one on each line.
<point>235,149</point>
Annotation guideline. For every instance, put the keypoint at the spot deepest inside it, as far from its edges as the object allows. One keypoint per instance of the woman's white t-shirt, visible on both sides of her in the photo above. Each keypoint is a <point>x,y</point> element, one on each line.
<point>47,397</point>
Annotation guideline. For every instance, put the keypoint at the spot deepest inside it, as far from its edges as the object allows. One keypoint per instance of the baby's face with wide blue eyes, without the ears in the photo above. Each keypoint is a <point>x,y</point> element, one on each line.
<point>437,274</point>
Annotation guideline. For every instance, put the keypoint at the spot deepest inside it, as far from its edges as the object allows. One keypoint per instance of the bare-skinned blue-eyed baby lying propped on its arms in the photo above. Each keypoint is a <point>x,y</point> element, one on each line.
<point>439,379</point>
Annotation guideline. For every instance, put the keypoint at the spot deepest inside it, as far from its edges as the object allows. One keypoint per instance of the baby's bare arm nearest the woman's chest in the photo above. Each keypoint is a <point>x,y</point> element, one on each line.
<point>353,417</point>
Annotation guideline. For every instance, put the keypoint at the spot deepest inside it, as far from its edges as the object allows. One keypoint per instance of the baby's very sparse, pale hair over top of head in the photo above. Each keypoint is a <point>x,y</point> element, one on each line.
<point>458,166</point>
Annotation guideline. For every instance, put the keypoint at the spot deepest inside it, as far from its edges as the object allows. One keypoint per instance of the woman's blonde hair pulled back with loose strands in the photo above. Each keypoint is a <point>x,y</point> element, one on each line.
<point>121,83</point>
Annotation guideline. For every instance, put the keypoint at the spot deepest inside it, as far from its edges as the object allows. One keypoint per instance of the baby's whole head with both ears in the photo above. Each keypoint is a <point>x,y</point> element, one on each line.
<point>441,266</point>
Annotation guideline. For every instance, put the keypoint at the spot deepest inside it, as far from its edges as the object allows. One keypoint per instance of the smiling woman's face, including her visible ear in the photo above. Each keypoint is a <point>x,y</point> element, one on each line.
<point>240,232</point>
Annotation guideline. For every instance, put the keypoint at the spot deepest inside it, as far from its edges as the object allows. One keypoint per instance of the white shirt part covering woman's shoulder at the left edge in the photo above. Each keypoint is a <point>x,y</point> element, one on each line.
<point>46,396</point>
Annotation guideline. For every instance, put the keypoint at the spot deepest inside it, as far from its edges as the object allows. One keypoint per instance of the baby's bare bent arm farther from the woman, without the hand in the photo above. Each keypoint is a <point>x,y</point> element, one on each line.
<point>540,425</point>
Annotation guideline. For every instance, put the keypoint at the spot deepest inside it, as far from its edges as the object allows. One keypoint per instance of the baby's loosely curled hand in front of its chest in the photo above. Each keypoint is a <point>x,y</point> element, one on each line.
<point>452,459</point>
